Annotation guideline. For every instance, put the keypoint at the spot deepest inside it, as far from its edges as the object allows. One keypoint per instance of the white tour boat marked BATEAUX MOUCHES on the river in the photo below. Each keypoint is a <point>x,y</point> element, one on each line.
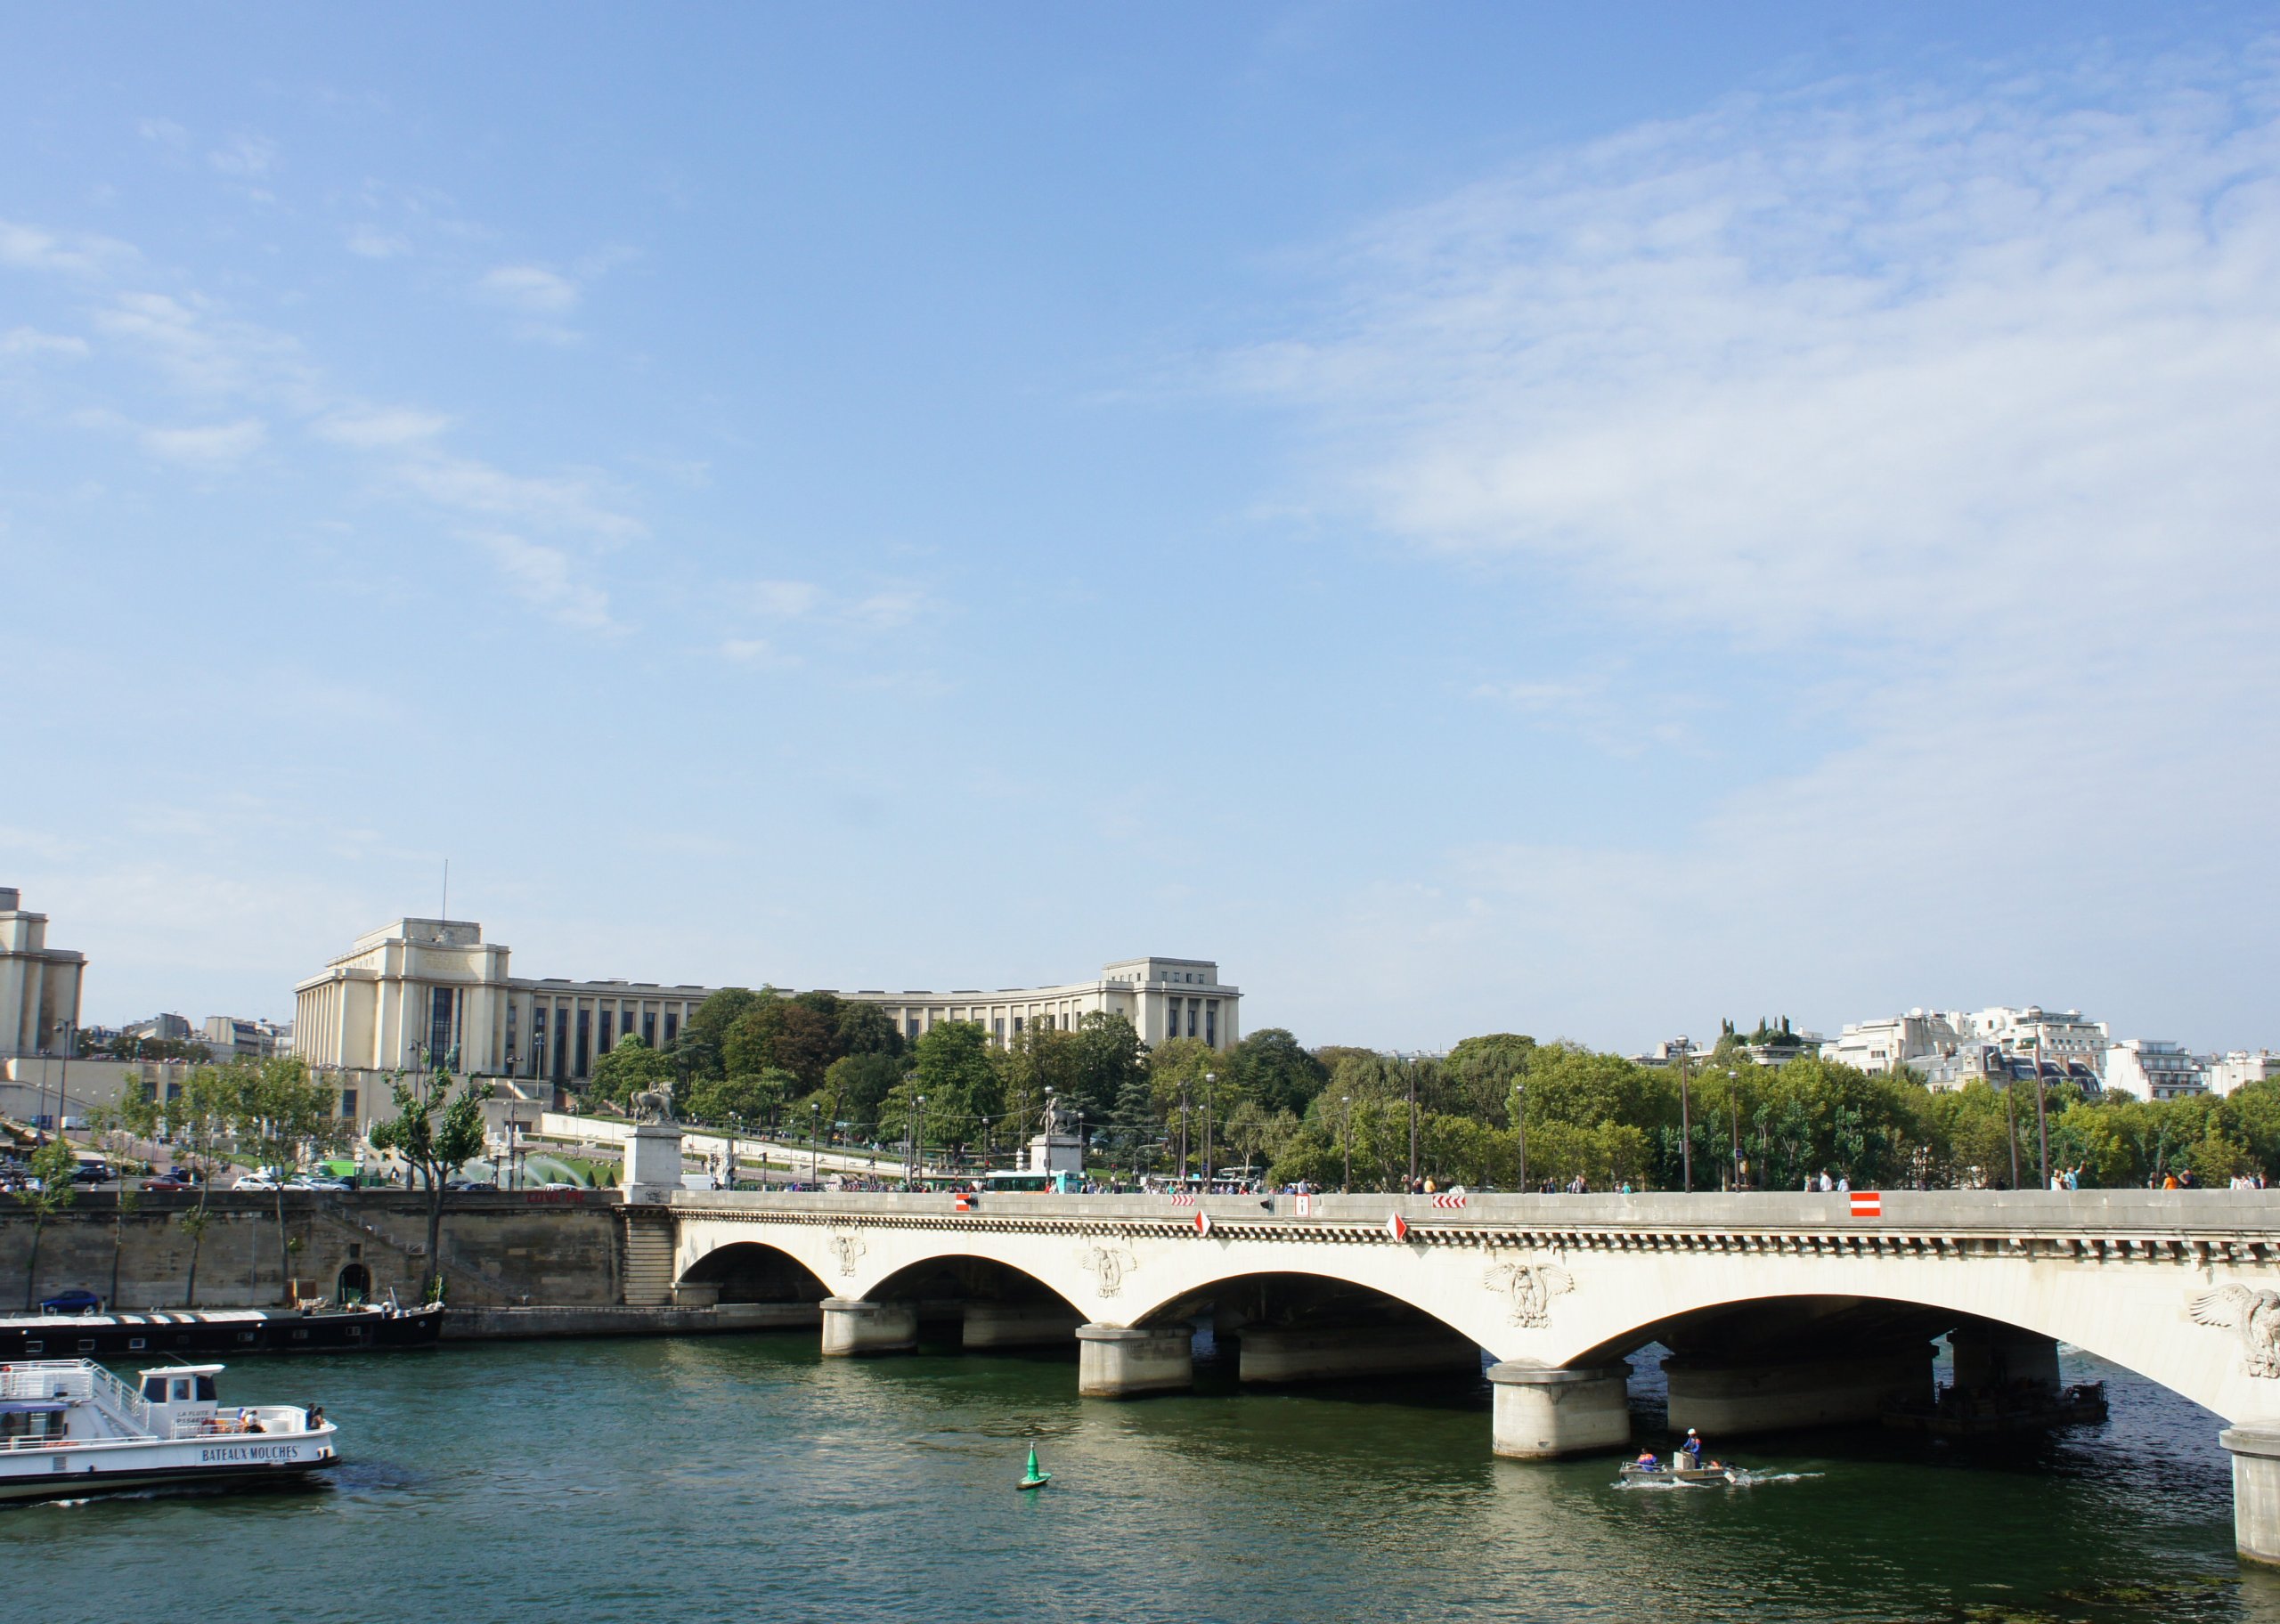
<point>72,1429</point>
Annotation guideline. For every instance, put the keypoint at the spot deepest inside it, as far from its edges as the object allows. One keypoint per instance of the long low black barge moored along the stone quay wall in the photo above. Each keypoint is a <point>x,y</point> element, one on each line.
<point>222,1331</point>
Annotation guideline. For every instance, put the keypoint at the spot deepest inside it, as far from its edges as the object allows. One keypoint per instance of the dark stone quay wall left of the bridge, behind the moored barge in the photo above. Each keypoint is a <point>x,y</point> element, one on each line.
<point>498,1251</point>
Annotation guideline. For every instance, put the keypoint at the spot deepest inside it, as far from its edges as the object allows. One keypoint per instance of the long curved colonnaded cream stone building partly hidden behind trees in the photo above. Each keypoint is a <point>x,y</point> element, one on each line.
<point>418,991</point>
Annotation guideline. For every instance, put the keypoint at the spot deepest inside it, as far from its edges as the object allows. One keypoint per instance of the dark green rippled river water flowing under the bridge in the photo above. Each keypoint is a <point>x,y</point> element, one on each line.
<point>706,1479</point>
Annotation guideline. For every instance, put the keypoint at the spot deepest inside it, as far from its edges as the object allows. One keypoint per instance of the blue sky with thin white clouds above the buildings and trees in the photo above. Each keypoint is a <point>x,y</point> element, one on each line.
<point>1552,519</point>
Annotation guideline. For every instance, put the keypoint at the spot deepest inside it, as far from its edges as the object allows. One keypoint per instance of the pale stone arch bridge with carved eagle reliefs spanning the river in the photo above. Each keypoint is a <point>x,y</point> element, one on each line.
<point>1780,1310</point>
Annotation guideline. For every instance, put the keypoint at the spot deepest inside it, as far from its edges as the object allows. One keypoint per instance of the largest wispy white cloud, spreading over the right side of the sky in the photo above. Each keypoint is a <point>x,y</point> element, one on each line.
<point>1960,391</point>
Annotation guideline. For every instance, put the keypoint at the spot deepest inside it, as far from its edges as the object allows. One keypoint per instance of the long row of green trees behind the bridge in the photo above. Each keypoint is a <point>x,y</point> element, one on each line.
<point>1497,1112</point>
